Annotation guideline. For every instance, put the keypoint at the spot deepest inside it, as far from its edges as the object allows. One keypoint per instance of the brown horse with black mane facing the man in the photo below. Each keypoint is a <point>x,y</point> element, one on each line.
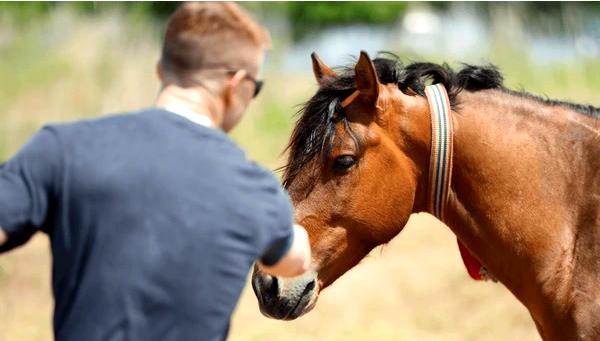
<point>524,197</point>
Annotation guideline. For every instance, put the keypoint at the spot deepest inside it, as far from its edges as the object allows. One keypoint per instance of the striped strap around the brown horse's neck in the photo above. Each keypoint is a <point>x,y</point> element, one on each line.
<point>440,164</point>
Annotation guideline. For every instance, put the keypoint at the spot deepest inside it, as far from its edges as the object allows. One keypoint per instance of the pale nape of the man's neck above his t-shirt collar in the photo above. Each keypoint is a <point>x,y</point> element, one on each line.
<point>195,104</point>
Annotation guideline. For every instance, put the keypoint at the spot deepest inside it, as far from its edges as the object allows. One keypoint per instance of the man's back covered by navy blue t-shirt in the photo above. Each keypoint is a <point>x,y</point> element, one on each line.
<point>155,222</point>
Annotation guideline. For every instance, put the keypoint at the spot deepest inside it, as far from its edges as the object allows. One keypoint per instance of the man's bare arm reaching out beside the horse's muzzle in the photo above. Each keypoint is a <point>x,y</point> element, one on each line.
<point>297,259</point>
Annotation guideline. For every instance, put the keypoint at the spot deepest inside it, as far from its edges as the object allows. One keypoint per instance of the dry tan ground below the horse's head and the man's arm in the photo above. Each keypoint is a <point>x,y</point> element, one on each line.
<point>414,288</point>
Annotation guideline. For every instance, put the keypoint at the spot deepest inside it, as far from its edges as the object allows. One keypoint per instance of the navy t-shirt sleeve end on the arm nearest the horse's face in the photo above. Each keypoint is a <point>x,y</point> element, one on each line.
<point>280,233</point>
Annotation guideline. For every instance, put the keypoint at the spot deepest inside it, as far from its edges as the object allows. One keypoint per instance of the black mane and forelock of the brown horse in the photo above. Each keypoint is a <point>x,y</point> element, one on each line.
<point>315,128</point>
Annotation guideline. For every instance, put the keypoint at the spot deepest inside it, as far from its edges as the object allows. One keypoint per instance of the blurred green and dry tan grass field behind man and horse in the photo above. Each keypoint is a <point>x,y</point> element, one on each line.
<point>66,67</point>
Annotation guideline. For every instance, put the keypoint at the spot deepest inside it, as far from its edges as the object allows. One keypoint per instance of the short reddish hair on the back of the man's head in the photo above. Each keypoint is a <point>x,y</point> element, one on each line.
<point>210,35</point>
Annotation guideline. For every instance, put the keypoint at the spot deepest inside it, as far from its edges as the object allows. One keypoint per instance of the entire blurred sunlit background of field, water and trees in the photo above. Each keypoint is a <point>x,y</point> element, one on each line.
<point>68,61</point>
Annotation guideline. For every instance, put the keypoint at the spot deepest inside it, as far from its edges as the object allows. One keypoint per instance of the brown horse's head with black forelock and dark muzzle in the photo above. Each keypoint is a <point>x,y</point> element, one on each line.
<point>354,168</point>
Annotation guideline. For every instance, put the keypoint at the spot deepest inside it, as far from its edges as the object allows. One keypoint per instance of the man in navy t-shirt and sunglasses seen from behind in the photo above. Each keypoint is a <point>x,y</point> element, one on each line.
<point>156,217</point>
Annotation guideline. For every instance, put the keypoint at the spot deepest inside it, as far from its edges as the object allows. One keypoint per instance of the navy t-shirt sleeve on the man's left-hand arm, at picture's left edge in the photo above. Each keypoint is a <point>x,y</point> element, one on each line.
<point>27,183</point>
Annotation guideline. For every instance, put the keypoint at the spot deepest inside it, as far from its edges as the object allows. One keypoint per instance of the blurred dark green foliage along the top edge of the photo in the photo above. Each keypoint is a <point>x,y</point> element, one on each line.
<point>305,18</point>
